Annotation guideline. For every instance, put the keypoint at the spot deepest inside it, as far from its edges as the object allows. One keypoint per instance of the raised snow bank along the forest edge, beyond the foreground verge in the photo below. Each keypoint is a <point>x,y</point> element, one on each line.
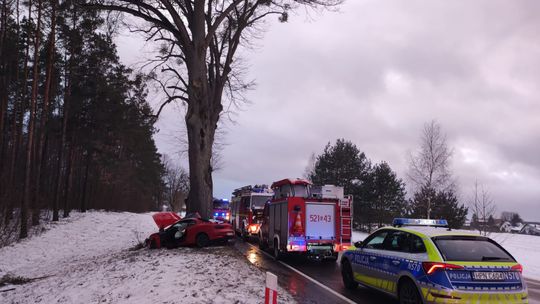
<point>84,237</point>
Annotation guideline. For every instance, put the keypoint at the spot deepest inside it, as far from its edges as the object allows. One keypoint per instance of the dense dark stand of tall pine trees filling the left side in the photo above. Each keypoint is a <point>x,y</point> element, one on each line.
<point>71,112</point>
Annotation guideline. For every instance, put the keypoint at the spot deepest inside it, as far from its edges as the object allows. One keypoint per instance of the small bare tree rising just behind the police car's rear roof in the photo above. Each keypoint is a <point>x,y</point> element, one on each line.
<point>483,208</point>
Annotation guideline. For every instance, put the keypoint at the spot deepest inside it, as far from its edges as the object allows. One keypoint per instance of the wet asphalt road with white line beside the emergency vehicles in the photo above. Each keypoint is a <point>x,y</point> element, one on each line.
<point>305,287</point>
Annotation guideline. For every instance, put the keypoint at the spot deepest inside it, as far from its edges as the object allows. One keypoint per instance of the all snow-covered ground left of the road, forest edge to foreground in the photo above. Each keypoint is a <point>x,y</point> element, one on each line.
<point>88,260</point>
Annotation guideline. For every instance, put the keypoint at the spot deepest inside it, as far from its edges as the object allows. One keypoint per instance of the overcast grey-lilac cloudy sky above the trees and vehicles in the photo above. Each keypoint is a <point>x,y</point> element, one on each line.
<point>373,74</point>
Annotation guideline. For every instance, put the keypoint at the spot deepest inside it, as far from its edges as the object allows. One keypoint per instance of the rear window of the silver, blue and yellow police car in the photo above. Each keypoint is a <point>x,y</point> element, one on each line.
<point>470,249</point>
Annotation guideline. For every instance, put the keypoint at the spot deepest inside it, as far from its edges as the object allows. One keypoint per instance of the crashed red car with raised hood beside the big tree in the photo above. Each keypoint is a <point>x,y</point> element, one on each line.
<point>189,231</point>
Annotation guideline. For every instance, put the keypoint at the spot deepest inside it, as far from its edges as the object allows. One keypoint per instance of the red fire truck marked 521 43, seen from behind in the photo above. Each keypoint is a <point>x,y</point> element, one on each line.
<point>314,221</point>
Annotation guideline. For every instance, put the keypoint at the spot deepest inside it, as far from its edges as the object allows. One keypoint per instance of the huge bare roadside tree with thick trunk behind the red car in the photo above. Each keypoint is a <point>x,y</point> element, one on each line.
<point>199,41</point>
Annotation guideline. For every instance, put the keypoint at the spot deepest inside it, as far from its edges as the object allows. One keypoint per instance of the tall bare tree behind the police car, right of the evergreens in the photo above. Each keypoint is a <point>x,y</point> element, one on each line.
<point>429,167</point>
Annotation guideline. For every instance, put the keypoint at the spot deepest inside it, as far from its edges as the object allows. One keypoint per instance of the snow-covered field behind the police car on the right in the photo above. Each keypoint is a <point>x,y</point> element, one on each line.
<point>525,248</point>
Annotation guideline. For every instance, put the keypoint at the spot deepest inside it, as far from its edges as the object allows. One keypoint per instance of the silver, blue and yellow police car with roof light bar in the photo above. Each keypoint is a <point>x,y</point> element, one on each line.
<point>423,261</point>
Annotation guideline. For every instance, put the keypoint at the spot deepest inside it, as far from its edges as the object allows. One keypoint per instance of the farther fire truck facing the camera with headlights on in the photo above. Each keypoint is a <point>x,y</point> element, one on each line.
<point>246,207</point>
